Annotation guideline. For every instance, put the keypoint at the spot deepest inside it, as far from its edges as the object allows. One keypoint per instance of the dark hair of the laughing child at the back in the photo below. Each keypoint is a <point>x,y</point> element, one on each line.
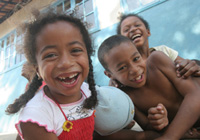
<point>123,17</point>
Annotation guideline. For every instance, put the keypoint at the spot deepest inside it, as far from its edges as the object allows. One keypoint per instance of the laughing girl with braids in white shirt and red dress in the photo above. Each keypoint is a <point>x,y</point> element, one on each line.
<point>59,47</point>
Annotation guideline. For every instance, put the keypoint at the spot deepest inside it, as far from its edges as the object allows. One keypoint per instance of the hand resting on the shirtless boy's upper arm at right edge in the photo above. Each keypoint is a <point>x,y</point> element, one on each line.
<point>186,68</point>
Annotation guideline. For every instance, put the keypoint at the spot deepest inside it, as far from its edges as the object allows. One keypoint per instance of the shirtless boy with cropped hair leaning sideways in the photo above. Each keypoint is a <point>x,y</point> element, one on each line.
<point>152,81</point>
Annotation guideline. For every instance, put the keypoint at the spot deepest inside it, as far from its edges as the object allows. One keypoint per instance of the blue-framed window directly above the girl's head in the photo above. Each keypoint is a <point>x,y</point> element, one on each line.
<point>84,9</point>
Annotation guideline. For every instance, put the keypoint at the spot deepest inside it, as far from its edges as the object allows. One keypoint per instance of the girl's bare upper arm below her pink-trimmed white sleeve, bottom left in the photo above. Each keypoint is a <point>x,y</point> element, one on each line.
<point>32,131</point>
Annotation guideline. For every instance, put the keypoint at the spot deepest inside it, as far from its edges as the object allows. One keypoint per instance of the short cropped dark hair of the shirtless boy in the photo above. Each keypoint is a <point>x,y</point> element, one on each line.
<point>107,45</point>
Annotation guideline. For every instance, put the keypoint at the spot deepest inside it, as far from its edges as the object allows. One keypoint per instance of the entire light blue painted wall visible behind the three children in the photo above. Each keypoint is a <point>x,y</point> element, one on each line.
<point>175,23</point>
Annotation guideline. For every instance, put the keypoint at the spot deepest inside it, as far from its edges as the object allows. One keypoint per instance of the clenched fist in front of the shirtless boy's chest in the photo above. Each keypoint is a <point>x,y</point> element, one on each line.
<point>158,117</point>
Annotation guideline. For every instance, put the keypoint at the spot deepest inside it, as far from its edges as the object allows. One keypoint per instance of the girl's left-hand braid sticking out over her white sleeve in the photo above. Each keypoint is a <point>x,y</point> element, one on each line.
<point>24,98</point>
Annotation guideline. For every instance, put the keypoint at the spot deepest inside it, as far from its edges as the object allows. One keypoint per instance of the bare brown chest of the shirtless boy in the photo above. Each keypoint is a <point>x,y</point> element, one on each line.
<point>158,89</point>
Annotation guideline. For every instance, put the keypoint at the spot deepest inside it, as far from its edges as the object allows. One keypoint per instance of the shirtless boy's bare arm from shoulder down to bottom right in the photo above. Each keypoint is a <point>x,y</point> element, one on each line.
<point>188,112</point>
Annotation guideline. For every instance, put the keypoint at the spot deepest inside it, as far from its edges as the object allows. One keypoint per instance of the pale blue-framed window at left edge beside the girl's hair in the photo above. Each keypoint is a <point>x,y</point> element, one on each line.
<point>8,57</point>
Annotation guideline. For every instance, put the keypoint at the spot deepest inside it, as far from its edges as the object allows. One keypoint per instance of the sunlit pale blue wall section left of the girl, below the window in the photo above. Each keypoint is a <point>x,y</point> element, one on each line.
<point>12,85</point>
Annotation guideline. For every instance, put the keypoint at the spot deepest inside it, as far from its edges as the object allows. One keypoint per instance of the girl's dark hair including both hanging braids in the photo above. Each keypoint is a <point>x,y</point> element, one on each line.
<point>29,47</point>
